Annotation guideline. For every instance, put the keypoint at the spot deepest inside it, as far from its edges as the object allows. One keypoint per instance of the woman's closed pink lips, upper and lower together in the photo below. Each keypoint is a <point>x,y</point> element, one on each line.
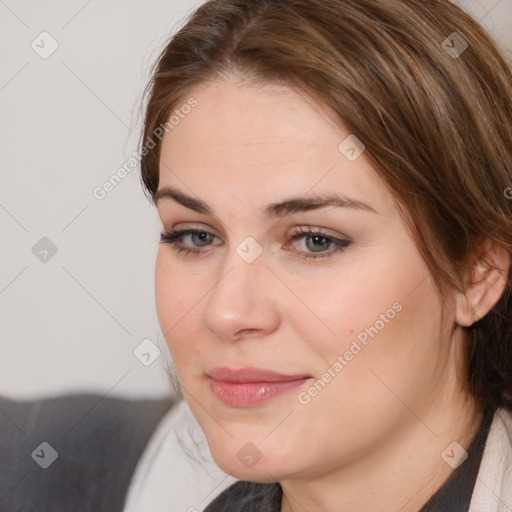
<point>246,387</point>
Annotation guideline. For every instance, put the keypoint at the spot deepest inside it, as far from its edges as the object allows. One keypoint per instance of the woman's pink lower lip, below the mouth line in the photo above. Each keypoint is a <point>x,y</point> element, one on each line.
<point>249,394</point>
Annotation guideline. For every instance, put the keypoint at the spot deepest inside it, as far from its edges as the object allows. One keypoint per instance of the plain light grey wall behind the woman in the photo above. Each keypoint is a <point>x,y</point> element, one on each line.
<point>67,123</point>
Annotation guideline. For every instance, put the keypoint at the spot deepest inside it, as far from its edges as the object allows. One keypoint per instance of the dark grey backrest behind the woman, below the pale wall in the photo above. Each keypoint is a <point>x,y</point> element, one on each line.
<point>98,442</point>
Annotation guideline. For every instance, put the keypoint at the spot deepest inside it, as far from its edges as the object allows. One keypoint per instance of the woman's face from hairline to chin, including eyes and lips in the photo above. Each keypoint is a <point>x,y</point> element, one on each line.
<point>304,335</point>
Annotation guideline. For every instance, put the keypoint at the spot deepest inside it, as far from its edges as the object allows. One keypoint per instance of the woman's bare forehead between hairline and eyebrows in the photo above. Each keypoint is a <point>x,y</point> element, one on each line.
<point>257,141</point>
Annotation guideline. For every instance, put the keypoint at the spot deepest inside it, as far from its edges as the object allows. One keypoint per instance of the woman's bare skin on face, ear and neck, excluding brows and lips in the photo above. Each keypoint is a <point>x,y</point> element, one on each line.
<point>372,439</point>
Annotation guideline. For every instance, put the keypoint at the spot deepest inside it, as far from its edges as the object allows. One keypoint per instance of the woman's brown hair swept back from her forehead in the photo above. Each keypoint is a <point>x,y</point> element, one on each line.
<point>437,125</point>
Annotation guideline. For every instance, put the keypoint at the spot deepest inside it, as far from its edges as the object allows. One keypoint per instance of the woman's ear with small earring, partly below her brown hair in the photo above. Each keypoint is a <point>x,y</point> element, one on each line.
<point>484,285</point>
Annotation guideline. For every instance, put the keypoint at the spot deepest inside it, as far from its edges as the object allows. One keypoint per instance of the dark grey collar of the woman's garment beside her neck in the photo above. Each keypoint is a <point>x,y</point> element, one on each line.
<point>453,496</point>
